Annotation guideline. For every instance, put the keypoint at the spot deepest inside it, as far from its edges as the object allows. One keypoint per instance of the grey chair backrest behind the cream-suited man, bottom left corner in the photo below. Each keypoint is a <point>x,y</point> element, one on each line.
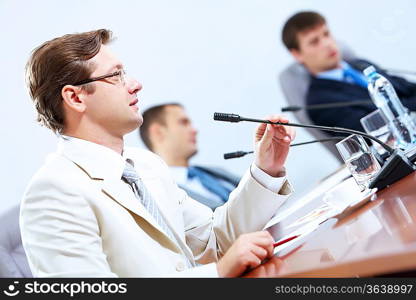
<point>13,261</point>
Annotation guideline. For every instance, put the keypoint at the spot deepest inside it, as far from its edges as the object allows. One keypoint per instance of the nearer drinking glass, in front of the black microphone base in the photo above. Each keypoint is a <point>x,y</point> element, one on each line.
<point>359,159</point>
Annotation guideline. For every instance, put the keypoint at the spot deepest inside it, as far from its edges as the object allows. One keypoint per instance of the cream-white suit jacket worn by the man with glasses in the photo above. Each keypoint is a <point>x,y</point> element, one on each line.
<point>79,219</point>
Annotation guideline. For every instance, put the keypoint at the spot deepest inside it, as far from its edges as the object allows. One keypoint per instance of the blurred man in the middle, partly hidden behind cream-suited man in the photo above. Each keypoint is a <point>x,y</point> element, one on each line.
<point>168,131</point>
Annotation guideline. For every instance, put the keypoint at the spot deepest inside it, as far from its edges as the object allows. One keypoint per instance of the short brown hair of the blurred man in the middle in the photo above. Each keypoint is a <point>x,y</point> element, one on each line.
<point>155,114</point>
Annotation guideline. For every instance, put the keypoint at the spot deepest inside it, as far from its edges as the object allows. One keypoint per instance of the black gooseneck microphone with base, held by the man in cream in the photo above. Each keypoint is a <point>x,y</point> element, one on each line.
<point>395,168</point>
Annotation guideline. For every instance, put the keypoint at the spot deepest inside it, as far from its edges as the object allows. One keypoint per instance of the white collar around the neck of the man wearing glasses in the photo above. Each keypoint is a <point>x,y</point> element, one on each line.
<point>98,161</point>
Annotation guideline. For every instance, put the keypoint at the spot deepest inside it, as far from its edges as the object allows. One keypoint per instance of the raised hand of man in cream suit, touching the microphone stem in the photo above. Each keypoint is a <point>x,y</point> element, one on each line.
<point>272,144</point>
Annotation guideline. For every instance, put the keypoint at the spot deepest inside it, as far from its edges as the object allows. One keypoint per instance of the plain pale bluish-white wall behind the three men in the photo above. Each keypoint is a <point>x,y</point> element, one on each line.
<point>211,55</point>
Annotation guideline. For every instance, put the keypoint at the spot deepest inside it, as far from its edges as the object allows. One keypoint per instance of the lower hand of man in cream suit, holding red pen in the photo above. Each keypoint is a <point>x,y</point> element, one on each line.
<point>247,252</point>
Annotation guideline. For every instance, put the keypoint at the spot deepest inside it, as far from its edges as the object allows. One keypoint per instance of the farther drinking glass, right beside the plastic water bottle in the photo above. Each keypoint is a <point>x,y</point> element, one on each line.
<point>377,125</point>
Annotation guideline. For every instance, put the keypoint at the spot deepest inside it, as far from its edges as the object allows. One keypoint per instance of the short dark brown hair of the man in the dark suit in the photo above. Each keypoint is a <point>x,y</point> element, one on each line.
<point>299,22</point>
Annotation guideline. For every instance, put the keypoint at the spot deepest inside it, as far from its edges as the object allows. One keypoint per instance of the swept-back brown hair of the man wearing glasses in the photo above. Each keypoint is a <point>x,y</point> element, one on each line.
<point>56,63</point>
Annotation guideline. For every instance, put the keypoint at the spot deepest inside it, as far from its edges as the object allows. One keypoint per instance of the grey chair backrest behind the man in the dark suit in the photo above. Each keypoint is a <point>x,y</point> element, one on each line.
<point>294,81</point>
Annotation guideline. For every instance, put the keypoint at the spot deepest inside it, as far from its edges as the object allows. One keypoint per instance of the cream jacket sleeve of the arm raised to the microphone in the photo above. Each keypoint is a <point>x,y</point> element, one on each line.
<point>250,206</point>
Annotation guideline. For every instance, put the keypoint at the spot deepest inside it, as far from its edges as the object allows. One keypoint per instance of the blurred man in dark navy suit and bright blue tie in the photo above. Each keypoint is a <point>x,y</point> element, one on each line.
<point>334,80</point>
